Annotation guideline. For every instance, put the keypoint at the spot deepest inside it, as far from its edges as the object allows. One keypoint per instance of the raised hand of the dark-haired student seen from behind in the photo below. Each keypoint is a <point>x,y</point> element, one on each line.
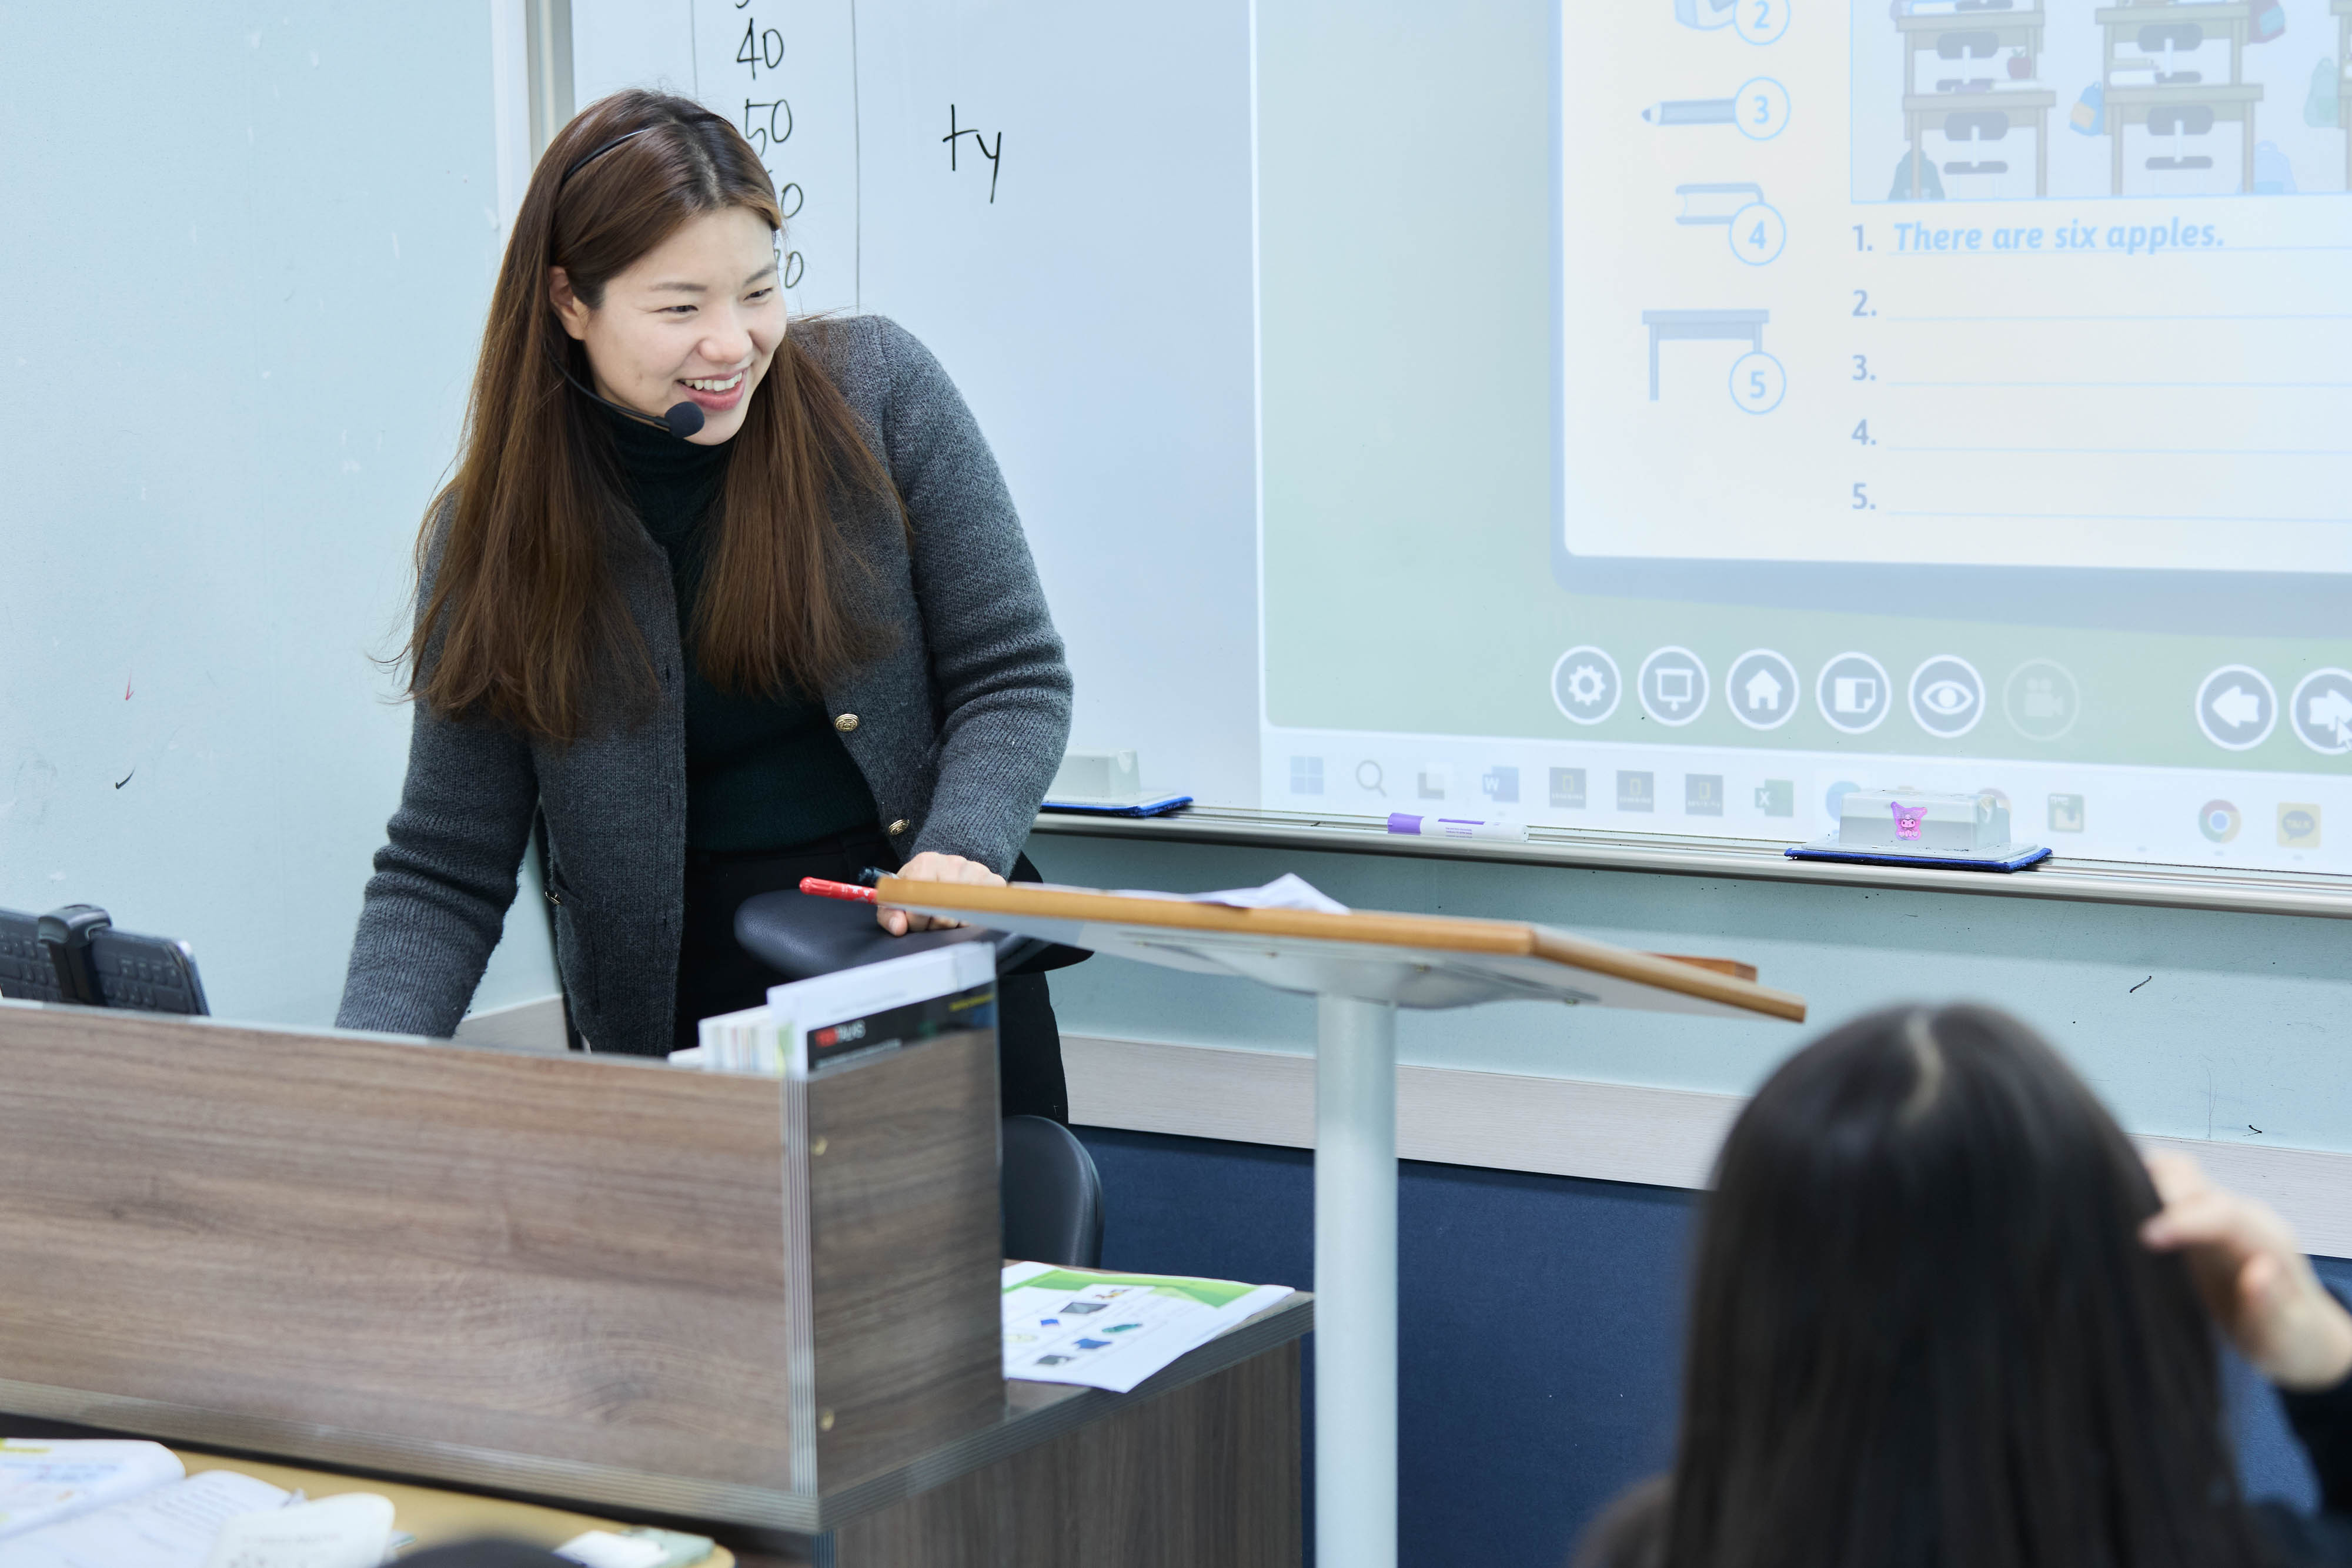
<point>2254,1278</point>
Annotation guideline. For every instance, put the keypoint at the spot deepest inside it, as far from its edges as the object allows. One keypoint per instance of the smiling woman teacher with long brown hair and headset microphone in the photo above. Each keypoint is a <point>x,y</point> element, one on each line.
<point>801,641</point>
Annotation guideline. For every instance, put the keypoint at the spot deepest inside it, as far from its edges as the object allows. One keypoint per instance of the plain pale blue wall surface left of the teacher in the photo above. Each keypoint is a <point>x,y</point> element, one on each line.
<point>250,255</point>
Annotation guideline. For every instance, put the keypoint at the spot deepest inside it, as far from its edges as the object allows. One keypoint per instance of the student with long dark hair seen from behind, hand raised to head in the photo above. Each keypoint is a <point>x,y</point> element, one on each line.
<point>1944,1315</point>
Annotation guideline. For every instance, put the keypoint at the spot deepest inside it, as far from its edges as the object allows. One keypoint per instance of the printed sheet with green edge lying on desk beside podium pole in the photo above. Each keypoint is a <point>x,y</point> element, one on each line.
<point>1111,1332</point>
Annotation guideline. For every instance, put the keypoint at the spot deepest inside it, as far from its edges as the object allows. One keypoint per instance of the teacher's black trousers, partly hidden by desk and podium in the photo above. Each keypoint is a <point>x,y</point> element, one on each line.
<point>719,977</point>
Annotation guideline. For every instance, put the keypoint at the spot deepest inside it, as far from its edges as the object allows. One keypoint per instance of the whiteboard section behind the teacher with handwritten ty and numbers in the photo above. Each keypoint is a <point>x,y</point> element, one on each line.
<point>1057,201</point>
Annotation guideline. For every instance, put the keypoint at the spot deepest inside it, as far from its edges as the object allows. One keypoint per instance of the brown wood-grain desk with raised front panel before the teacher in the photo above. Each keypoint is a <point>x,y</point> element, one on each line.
<point>763,1313</point>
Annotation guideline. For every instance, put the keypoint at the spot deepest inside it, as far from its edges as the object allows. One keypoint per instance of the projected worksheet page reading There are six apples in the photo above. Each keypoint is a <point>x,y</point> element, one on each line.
<point>1991,283</point>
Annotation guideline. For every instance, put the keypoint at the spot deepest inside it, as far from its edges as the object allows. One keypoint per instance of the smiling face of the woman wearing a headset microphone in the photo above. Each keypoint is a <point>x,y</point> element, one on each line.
<point>695,321</point>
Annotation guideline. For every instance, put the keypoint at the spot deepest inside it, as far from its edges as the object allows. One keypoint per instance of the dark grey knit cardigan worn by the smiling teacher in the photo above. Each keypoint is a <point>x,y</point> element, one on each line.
<point>958,730</point>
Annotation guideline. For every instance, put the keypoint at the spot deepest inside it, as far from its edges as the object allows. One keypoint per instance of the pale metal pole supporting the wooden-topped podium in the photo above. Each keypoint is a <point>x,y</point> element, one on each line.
<point>1356,1285</point>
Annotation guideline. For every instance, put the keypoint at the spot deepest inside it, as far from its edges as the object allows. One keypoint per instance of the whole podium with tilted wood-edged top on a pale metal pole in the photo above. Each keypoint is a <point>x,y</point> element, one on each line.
<point>1361,970</point>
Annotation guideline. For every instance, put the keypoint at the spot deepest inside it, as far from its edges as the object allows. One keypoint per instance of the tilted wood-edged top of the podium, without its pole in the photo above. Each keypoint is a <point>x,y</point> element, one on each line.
<point>1412,960</point>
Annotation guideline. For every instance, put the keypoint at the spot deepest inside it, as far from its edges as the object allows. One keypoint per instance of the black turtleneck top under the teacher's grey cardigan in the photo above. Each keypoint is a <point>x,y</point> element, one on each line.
<point>763,772</point>
